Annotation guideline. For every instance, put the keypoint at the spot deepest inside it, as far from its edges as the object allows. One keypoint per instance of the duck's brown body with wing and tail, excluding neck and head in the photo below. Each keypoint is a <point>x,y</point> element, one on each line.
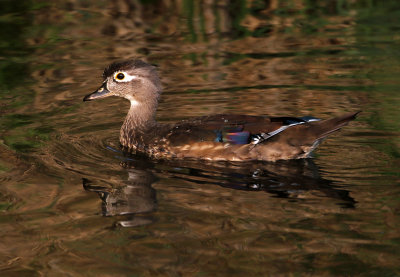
<point>241,137</point>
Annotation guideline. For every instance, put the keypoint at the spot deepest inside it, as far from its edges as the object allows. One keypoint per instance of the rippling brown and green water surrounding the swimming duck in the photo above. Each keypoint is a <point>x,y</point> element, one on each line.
<point>71,204</point>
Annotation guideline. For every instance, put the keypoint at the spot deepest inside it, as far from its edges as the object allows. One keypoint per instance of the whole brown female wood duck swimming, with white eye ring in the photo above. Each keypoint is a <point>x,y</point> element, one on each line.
<point>223,137</point>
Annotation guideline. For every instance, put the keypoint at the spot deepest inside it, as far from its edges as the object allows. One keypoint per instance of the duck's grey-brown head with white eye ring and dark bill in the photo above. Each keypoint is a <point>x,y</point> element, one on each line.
<point>134,80</point>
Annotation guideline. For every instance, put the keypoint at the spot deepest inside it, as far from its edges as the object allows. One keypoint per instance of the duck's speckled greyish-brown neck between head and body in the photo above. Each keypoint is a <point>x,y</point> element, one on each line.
<point>139,120</point>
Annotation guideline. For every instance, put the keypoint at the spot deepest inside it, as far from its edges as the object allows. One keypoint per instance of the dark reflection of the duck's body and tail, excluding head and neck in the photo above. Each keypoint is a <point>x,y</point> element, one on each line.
<point>286,179</point>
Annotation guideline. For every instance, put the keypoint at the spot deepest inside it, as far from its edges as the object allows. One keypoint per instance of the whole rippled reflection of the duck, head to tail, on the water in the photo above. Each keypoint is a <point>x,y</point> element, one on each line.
<point>288,179</point>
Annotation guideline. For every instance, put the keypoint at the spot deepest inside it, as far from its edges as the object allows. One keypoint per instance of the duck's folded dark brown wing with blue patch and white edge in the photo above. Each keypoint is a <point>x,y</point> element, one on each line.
<point>233,129</point>
